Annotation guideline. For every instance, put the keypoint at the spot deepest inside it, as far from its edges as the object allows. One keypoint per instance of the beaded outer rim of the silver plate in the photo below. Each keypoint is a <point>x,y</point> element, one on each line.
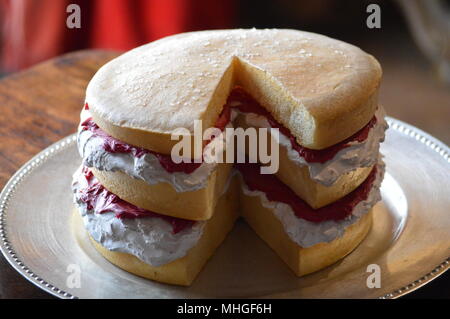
<point>8,250</point>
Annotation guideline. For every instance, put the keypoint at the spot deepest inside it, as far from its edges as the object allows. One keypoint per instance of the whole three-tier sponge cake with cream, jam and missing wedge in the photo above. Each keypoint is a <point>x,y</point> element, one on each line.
<point>161,216</point>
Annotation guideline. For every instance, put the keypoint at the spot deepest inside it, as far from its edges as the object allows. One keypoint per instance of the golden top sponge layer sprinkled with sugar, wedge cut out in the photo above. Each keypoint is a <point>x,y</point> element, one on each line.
<point>322,89</point>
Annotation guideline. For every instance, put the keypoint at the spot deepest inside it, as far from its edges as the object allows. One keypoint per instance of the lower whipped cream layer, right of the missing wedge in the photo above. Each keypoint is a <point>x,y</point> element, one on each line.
<point>306,233</point>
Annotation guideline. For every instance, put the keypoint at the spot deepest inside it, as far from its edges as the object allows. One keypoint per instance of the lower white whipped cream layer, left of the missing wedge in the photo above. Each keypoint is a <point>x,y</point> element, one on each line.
<point>151,239</point>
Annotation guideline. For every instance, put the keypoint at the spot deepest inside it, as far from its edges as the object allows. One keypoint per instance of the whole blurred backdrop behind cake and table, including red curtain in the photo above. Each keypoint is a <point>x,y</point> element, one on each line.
<point>412,43</point>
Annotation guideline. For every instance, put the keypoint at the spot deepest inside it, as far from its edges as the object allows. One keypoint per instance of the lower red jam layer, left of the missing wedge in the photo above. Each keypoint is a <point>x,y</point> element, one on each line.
<point>101,200</point>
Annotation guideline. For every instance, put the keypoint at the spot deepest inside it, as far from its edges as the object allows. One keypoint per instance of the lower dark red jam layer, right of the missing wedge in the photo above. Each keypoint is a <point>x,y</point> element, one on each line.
<point>277,191</point>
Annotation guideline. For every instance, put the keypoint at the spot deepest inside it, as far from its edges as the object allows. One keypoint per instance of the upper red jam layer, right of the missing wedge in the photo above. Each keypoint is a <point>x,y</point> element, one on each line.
<point>249,105</point>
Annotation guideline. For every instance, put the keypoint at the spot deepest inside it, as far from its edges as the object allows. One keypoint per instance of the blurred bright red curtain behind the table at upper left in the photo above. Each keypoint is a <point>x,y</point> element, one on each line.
<point>35,30</point>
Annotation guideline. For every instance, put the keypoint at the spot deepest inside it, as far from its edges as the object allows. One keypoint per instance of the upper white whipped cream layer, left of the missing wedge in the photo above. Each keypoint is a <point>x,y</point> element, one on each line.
<point>146,167</point>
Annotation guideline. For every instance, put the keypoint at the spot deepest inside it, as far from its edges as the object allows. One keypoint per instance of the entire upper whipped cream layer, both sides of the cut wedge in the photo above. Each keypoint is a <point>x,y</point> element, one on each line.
<point>148,168</point>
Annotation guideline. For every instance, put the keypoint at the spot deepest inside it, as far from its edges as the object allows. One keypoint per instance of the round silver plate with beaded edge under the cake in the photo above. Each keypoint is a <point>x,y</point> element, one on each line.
<point>409,240</point>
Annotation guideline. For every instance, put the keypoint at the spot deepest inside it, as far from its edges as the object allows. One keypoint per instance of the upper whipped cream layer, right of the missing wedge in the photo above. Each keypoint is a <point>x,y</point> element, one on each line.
<point>354,156</point>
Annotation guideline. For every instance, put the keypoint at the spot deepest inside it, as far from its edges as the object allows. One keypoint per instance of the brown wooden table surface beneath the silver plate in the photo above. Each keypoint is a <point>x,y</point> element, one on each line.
<point>40,106</point>
